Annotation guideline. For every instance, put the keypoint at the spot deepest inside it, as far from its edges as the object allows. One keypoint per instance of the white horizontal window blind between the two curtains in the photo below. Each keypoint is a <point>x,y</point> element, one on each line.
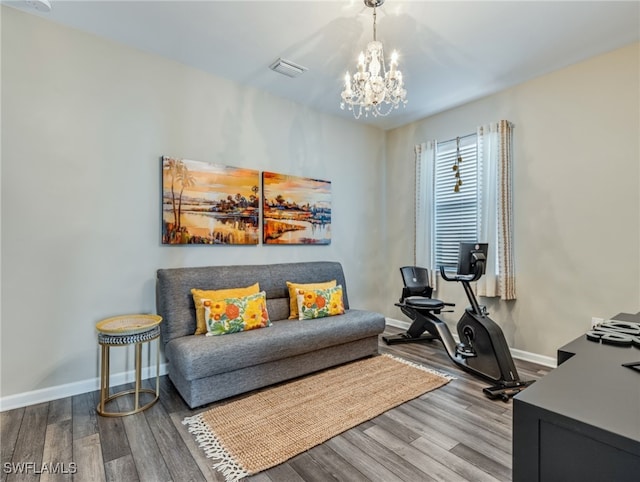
<point>456,213</point>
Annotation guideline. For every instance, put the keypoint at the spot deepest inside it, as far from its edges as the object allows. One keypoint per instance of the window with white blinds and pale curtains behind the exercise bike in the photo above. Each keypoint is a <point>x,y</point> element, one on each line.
<point>482,210</point>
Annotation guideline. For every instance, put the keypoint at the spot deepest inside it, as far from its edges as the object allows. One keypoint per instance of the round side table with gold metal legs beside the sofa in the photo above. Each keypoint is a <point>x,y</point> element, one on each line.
<point>128,330</point>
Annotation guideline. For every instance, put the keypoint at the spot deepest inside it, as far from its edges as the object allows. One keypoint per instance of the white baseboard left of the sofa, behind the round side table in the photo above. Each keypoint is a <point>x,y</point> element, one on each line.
<point>75,388</point>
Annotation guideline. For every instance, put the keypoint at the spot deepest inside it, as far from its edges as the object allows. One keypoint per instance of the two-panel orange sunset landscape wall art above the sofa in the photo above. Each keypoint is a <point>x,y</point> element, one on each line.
<point>206,203</point>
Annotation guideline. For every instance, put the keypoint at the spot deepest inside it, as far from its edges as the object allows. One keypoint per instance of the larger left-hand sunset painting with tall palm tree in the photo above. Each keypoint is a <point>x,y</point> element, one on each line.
<point>205,203</point>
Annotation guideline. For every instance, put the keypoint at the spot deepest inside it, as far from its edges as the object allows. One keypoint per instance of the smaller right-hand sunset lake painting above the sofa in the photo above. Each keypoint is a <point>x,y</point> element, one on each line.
<point>297,210</point>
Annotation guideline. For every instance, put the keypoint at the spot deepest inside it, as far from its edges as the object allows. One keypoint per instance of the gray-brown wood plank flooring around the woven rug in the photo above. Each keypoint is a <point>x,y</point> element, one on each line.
<point>451,434</point>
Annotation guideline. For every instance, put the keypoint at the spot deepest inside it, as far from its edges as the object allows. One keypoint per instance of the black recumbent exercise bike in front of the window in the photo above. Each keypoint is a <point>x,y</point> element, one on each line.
<point>483,350</point>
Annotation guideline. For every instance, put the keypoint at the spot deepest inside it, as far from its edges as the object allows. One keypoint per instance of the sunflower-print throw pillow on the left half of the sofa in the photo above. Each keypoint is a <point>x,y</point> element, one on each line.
<point>233,315</point>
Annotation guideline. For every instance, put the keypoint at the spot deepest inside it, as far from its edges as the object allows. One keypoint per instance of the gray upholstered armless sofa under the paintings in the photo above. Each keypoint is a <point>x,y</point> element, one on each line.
<point>209,368</point>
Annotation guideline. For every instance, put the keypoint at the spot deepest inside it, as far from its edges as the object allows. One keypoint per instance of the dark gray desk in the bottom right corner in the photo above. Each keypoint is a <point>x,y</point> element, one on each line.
<point>582,420</point>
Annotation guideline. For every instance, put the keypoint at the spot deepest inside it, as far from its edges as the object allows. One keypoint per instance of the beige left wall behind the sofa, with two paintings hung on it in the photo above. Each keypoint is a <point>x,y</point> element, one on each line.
<point>84,123</point>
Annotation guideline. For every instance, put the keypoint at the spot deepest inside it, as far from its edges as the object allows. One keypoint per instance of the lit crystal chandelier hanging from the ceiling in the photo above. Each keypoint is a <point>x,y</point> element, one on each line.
<point>373,89</point>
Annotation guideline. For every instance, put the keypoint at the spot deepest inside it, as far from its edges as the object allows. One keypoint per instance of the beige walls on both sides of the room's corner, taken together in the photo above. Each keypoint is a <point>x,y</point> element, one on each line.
<point>85,121</point>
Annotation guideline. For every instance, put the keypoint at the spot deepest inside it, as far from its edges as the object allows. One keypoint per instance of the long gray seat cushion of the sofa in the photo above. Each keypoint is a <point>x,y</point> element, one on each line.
<point>201,356</point>
